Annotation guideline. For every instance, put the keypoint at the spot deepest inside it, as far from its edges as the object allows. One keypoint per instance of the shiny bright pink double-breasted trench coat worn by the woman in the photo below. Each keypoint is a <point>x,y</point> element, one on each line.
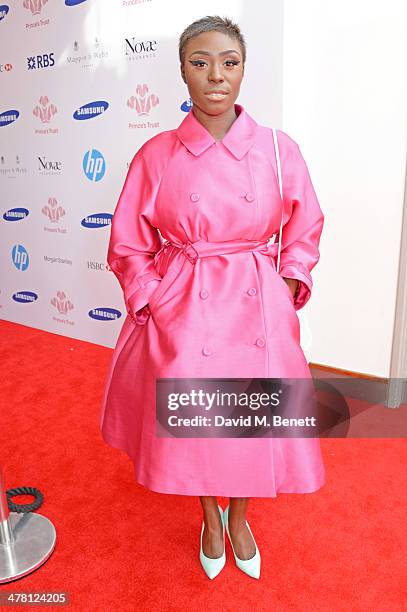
<point>217,308</point>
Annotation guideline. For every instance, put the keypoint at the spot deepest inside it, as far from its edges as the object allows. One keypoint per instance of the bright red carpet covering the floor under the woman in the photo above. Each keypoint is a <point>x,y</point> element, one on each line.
<point>123,547</point>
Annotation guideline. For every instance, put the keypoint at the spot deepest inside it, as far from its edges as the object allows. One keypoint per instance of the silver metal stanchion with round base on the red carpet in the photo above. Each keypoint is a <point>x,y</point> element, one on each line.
<point>26,540</point>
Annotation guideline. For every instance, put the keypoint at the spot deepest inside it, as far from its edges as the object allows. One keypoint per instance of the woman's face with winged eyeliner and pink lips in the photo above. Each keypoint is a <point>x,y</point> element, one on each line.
<point>213,62</point>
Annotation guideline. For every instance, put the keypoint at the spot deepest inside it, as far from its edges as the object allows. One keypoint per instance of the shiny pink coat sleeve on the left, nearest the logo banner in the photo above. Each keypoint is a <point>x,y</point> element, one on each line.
<point>133,240</point>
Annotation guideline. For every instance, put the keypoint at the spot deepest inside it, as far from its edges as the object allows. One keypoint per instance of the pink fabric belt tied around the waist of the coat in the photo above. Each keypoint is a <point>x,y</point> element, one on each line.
<point>203,248</point>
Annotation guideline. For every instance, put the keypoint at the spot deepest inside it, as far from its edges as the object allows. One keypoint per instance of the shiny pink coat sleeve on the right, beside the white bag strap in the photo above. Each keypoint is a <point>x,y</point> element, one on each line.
<point>301,233</point>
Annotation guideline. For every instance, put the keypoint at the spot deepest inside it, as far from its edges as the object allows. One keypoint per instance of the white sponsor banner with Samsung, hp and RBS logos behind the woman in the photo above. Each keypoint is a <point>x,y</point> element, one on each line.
<point>83,83</point>
